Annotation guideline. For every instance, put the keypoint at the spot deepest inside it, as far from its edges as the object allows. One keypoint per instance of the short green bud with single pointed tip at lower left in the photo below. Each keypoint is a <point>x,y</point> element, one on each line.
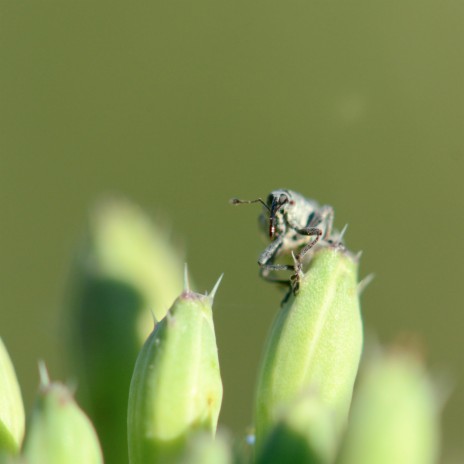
<point>59,432</point>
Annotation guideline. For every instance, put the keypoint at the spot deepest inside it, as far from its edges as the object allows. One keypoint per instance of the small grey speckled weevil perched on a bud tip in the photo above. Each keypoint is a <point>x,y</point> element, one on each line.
<point>293,224</point>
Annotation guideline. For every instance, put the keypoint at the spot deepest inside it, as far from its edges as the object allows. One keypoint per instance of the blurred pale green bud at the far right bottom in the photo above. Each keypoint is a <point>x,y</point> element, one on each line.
<point>394,417</point>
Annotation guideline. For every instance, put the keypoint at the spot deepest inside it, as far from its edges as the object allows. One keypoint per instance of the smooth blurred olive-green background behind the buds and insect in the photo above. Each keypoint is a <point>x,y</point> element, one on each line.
<point>181,105</point>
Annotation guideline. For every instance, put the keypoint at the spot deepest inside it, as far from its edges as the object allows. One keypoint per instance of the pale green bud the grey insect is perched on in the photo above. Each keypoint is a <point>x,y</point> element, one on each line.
<point>315,343</point>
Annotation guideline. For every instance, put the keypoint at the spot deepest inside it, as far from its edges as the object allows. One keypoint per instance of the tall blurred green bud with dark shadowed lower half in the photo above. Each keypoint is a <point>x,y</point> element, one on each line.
<point>126,270</point>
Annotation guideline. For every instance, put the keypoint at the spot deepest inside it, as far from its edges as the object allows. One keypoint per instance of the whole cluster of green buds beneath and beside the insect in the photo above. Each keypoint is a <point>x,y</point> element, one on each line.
<point>168,404</point>
